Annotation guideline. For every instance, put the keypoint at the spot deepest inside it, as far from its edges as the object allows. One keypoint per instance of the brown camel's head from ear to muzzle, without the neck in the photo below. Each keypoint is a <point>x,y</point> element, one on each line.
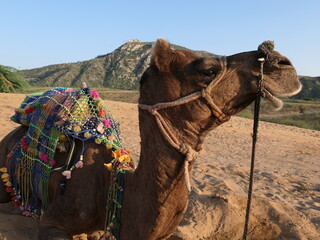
<point>233,82</point>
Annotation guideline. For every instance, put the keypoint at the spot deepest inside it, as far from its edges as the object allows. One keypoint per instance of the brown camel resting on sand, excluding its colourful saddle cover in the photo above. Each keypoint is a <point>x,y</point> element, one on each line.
<point>182,98</point>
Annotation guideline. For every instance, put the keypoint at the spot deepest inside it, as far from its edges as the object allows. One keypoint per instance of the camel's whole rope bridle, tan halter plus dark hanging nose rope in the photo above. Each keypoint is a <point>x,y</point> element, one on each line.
<point>187,150</point>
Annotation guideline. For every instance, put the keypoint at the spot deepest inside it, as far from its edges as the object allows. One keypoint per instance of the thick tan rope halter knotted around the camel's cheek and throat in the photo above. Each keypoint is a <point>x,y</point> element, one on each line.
<point>185,149</point>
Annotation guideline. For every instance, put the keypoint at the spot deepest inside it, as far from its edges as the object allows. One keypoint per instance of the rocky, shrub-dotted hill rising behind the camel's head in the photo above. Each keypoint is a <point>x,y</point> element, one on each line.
<point>120,69</point>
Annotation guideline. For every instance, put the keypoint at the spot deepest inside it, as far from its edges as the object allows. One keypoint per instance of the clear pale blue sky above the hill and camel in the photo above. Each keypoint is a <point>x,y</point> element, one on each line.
<point>39,33</point>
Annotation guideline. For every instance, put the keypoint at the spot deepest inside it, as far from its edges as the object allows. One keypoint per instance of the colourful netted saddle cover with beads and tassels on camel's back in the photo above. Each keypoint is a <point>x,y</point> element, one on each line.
<point>52,116</point>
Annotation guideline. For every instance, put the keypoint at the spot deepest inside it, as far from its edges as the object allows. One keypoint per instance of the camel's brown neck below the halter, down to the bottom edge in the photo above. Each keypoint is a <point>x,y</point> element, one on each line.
<point>156,193</point>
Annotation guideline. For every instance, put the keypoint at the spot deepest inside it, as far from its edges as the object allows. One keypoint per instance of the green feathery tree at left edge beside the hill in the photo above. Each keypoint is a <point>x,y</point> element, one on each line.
<point>11,81</point>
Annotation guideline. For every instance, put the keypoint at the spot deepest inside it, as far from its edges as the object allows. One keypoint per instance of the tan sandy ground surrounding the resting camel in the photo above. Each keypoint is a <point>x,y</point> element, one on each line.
<point>286,201</point>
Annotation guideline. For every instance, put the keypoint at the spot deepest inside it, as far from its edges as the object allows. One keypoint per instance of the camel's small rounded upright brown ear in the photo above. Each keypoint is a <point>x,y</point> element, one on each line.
<point>162,55</point>
